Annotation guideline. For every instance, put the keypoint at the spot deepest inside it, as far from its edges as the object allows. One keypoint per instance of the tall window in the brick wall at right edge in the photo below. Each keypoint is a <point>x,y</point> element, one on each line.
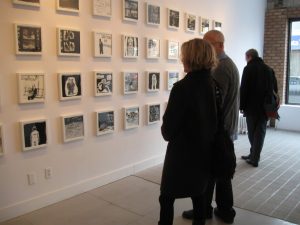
<point>293,68</point>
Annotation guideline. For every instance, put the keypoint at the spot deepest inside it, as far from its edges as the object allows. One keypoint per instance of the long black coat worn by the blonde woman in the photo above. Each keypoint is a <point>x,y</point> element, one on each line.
<point>189,125</point>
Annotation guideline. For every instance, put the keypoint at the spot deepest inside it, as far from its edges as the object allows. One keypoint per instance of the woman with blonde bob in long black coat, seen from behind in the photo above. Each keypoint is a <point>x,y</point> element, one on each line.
<point>189,125</point>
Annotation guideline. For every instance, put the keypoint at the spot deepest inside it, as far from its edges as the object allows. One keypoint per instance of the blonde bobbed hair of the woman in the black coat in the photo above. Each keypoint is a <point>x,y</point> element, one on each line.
<point>198,54</point>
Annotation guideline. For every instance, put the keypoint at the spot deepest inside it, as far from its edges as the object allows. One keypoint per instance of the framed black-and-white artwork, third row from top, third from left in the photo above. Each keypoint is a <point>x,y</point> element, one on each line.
<point>103,83</point>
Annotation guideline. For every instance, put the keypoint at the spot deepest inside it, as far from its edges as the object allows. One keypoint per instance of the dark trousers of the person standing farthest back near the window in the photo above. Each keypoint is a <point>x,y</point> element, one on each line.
<point>257,126</point>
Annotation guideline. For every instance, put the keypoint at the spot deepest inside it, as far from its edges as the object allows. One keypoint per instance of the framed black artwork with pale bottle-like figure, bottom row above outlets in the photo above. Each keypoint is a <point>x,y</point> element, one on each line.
<point>34,134</point>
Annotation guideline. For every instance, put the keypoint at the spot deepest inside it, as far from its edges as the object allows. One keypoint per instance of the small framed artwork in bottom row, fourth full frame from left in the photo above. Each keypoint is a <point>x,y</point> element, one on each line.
<point>131,117</point>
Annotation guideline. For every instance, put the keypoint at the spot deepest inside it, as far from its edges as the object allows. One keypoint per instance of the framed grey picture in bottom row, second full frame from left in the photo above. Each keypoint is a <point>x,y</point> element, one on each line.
<point>73,127</point>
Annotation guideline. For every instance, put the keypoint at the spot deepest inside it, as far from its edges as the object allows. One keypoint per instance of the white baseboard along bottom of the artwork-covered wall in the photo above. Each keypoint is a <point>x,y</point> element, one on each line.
<point>29,205</point>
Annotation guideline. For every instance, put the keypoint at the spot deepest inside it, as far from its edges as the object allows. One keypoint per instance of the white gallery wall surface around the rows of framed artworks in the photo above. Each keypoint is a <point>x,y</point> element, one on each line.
<point>96,160</point>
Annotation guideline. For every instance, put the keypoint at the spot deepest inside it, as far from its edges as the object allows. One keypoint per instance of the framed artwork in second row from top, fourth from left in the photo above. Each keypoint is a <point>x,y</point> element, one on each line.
<point>130,46</point>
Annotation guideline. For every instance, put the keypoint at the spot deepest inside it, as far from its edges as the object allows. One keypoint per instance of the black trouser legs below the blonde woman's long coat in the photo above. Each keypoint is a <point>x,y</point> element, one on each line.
<point>167,209</point>
